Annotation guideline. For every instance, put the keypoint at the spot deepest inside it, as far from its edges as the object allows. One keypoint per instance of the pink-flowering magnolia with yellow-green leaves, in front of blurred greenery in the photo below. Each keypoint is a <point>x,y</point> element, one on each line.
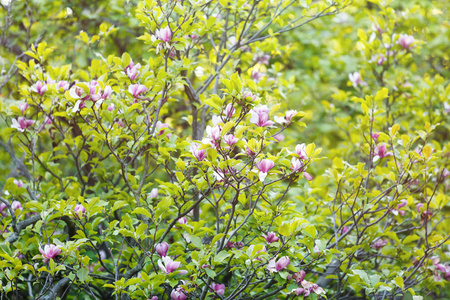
<point>166,175</point>
